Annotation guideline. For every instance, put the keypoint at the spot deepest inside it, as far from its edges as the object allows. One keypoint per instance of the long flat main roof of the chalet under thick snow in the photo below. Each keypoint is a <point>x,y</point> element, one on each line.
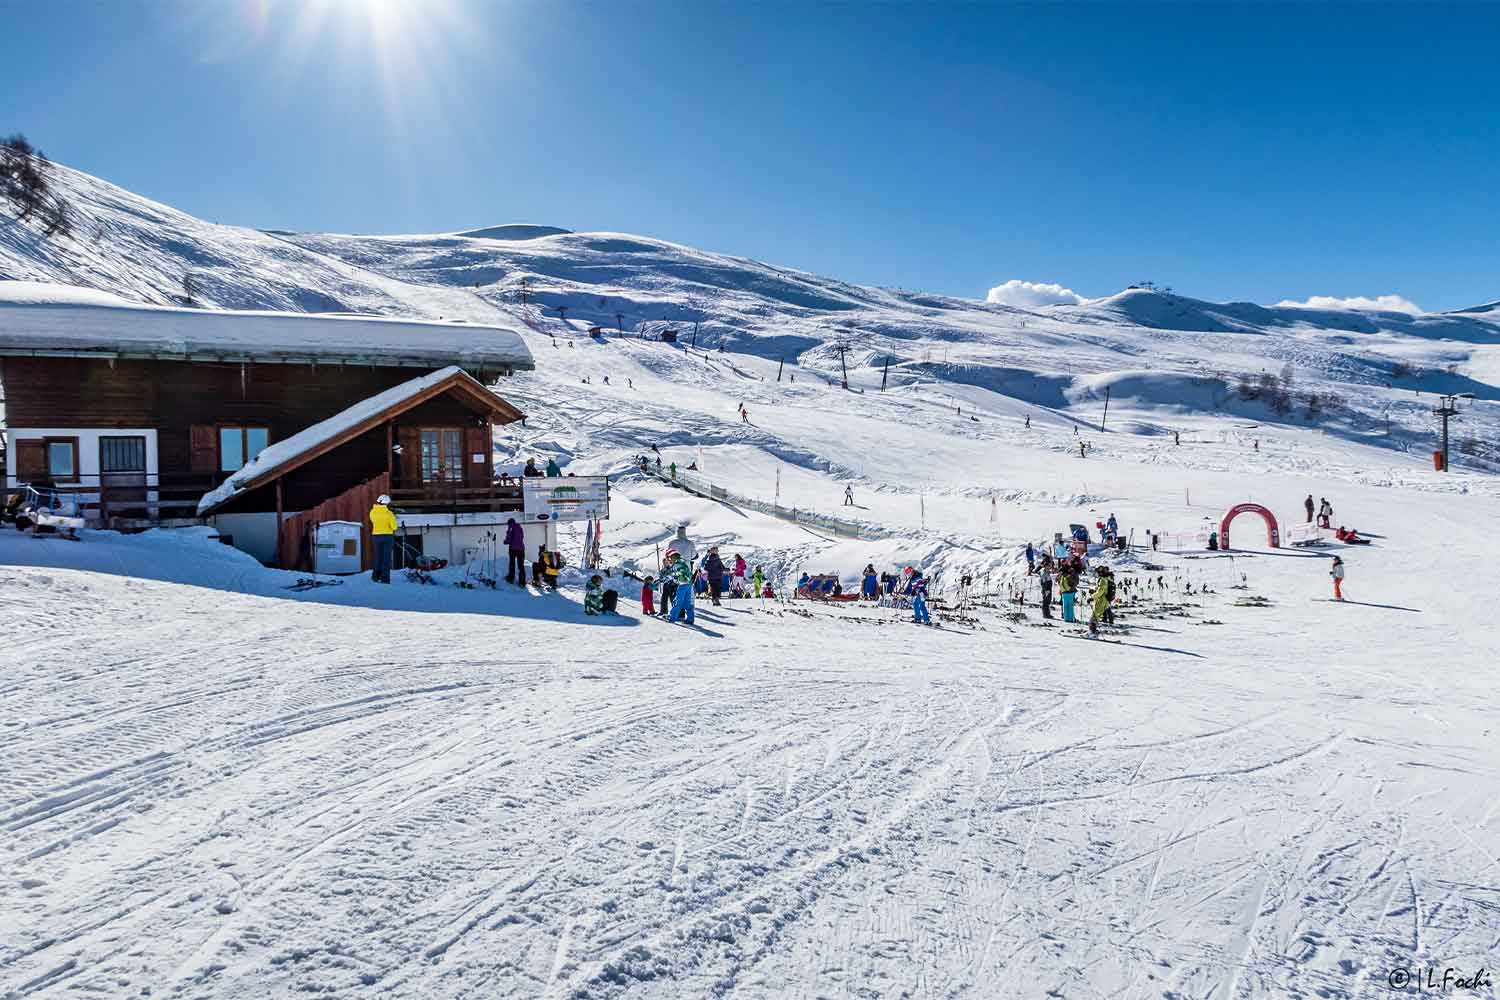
<point>58,320</point>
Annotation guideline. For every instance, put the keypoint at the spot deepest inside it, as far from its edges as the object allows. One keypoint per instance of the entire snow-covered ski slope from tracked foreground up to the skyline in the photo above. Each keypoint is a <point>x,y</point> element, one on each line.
<point>220,788</point>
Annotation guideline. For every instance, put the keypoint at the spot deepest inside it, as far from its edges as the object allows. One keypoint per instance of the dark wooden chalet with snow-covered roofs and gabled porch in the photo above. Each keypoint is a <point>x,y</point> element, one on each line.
<point>259,424</point>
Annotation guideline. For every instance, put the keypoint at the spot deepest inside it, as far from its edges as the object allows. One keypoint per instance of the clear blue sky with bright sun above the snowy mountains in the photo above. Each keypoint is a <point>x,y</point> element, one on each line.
<point>1243,152</point>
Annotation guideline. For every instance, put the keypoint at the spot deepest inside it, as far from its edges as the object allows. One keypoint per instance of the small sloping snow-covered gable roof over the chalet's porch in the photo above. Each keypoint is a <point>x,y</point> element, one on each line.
<point>325,436</point>
